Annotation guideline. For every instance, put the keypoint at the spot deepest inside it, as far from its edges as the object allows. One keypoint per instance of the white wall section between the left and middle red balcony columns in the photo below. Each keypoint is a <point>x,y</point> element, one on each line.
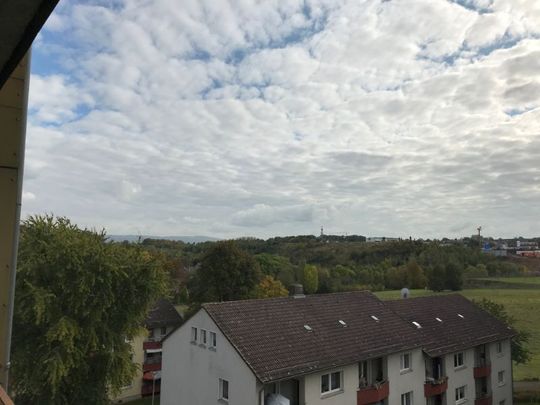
<point>413,380</point>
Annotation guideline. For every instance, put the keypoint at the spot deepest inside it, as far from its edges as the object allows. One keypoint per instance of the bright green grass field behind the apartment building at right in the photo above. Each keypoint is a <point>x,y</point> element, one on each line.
<point>522,304</point>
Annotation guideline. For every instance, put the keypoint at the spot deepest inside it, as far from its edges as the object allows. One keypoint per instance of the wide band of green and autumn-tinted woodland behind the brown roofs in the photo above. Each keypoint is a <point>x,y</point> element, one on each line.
<point>327,265</point>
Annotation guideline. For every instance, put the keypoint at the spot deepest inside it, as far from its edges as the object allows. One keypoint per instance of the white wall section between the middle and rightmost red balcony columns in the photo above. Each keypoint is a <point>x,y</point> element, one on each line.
<point>460,376</point>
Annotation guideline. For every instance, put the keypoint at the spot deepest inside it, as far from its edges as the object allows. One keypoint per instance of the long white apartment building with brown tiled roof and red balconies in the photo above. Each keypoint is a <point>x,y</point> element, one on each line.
<point>345,348</point>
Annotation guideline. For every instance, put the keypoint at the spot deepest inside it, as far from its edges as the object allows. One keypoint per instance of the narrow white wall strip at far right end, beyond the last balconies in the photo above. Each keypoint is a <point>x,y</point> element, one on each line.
<point>501,362</point>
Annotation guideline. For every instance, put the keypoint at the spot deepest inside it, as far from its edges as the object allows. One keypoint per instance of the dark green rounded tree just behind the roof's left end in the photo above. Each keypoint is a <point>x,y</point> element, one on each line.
<point>225,273</point>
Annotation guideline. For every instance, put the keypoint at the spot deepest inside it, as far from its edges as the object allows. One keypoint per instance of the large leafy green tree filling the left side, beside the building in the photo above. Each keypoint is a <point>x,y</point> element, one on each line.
<point>77,299</point>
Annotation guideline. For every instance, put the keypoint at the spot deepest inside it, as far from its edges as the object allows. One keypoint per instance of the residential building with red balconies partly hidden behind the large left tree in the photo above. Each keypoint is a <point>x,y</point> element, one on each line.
<point>147,351</point>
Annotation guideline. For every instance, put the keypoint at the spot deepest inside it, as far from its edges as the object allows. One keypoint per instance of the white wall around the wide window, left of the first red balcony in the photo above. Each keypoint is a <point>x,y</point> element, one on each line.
<point>347,395</point>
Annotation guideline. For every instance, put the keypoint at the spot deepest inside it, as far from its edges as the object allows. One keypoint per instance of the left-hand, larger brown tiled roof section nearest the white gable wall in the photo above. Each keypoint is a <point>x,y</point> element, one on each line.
<point>270,335</point>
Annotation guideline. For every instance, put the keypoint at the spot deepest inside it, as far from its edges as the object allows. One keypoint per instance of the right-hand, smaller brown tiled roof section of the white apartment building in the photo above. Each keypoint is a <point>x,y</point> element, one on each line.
<point>455,332</point>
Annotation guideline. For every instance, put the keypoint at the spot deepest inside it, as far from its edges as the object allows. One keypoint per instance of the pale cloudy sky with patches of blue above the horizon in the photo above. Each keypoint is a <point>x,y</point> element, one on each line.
<point>264,118</point>
